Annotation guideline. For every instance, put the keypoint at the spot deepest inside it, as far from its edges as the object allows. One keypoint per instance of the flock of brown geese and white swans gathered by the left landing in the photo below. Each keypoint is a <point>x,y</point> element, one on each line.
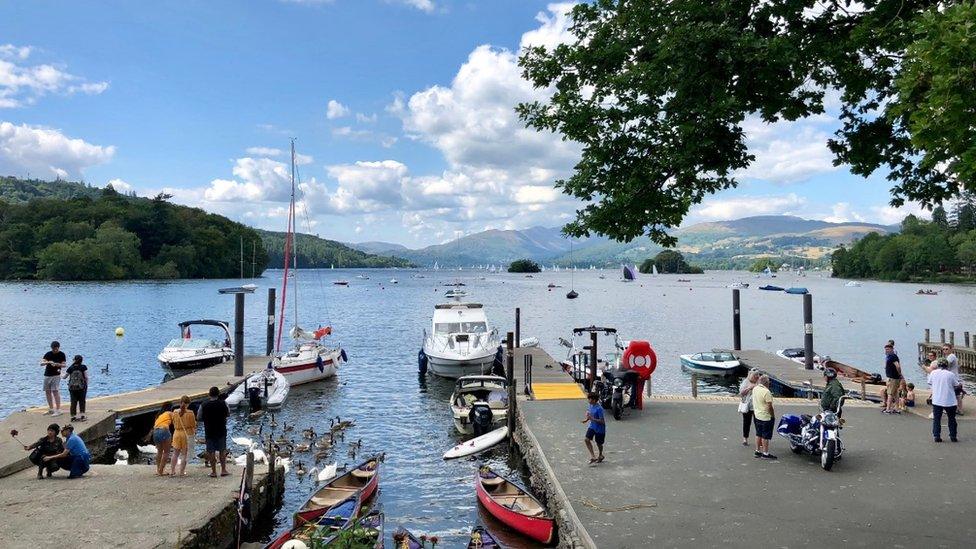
<point>286,448</point>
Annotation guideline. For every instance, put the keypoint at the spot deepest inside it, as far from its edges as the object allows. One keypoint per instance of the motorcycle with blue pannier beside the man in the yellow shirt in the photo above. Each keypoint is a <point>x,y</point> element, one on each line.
<point>815,435</point>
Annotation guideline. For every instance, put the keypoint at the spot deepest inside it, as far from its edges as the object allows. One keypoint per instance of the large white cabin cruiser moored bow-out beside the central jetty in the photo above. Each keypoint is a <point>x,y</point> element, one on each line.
<point>460,342</point>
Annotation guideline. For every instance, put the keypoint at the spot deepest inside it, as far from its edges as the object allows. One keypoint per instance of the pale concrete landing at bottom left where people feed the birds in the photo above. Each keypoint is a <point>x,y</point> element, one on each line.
<point>92,511</point>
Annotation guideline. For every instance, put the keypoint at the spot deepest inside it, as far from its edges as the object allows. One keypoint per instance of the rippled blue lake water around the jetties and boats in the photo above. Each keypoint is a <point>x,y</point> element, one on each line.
<point>380,326</point>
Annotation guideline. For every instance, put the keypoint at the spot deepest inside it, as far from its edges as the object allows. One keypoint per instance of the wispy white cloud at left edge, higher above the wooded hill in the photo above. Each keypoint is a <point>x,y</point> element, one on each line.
<point>23,84</point>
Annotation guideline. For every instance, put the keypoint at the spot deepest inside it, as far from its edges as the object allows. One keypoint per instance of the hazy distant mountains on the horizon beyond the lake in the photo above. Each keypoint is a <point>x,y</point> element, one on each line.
<point>717,244</point>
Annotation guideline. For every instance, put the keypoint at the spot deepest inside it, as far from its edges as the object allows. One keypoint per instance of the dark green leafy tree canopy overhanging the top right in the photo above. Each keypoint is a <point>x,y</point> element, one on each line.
<point>656,92</point>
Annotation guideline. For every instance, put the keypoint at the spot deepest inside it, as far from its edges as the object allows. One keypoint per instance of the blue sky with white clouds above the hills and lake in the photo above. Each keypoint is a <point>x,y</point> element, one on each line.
<point>402,112</point>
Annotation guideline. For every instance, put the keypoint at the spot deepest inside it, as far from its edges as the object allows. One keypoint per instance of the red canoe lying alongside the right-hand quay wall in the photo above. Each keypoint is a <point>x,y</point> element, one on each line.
<point>514,505</point>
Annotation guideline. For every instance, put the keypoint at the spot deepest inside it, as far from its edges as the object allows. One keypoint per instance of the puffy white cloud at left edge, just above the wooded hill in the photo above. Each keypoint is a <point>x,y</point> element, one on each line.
<point>45,152</point>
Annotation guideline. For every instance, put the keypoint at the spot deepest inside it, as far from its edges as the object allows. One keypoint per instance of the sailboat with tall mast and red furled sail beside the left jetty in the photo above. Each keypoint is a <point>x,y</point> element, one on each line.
<point>309,359</point>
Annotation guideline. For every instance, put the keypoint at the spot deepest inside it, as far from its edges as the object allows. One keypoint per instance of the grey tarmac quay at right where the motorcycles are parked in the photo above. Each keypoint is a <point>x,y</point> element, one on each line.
<point>676,475</point>
